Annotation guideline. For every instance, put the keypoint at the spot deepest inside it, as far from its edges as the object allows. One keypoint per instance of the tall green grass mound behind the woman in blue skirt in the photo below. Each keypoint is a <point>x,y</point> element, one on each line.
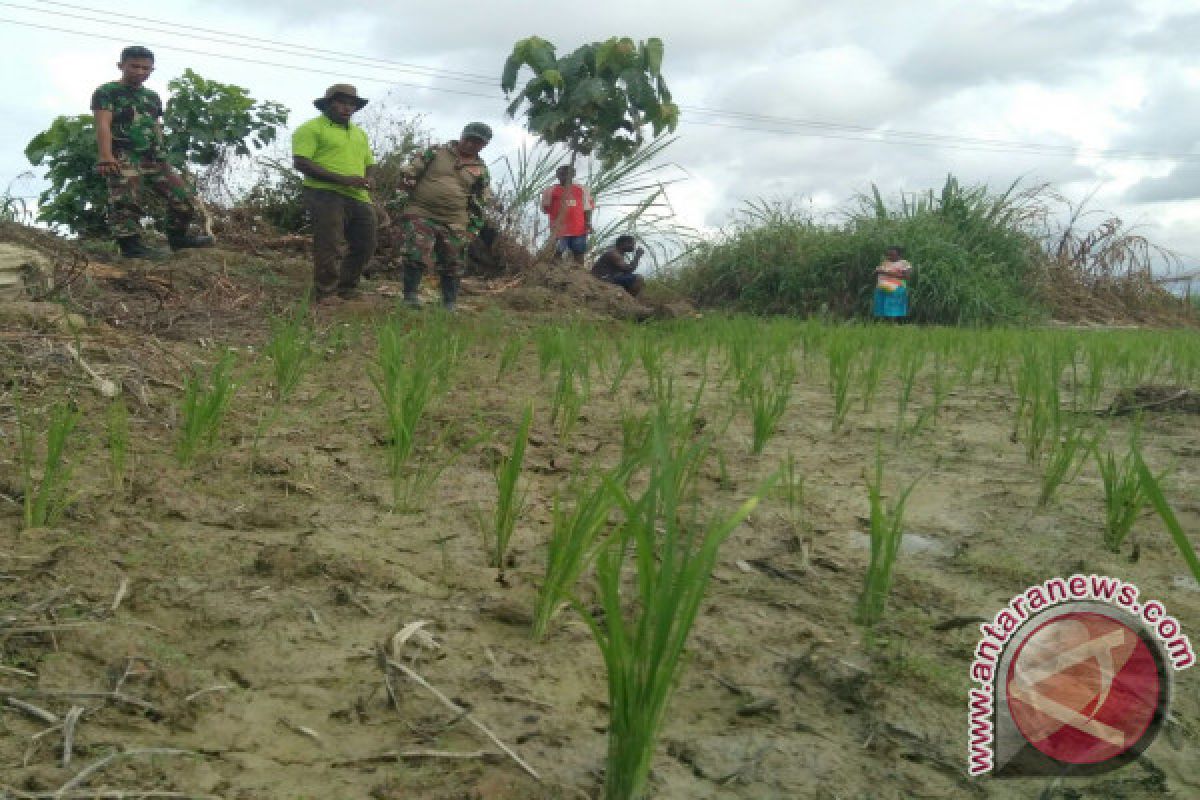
<point>977,254</point>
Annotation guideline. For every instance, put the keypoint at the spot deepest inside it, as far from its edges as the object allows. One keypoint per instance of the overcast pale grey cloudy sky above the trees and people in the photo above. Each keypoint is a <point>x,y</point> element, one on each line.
<point>1094,76</point>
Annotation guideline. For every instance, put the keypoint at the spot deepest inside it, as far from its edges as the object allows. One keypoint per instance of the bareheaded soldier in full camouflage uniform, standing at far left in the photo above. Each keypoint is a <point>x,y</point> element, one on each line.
<point>129,137</point>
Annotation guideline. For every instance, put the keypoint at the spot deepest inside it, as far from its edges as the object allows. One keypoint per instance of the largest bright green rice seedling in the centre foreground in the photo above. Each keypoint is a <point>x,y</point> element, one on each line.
<point>643,643</point>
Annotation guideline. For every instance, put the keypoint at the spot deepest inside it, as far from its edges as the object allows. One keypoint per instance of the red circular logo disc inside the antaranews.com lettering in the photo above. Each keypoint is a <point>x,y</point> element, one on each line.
<point>1084,688</point>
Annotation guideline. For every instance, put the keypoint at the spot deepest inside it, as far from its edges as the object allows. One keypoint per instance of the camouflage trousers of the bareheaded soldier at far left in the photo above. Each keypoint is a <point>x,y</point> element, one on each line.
<point>125,190</point>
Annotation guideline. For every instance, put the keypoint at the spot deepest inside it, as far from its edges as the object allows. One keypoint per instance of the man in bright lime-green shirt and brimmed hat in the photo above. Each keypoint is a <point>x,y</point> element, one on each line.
<point>334,157</point>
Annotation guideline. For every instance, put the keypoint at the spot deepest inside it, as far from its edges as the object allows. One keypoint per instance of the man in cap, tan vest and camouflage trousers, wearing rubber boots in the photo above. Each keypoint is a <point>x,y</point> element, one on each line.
<point>439,212</point>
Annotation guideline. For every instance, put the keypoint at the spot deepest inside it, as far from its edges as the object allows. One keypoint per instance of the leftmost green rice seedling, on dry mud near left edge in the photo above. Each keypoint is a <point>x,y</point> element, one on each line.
<point>46,490</point>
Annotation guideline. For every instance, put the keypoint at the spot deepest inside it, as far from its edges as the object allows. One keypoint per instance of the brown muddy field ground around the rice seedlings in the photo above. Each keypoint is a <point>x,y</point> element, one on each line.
<point>227,617</point>
